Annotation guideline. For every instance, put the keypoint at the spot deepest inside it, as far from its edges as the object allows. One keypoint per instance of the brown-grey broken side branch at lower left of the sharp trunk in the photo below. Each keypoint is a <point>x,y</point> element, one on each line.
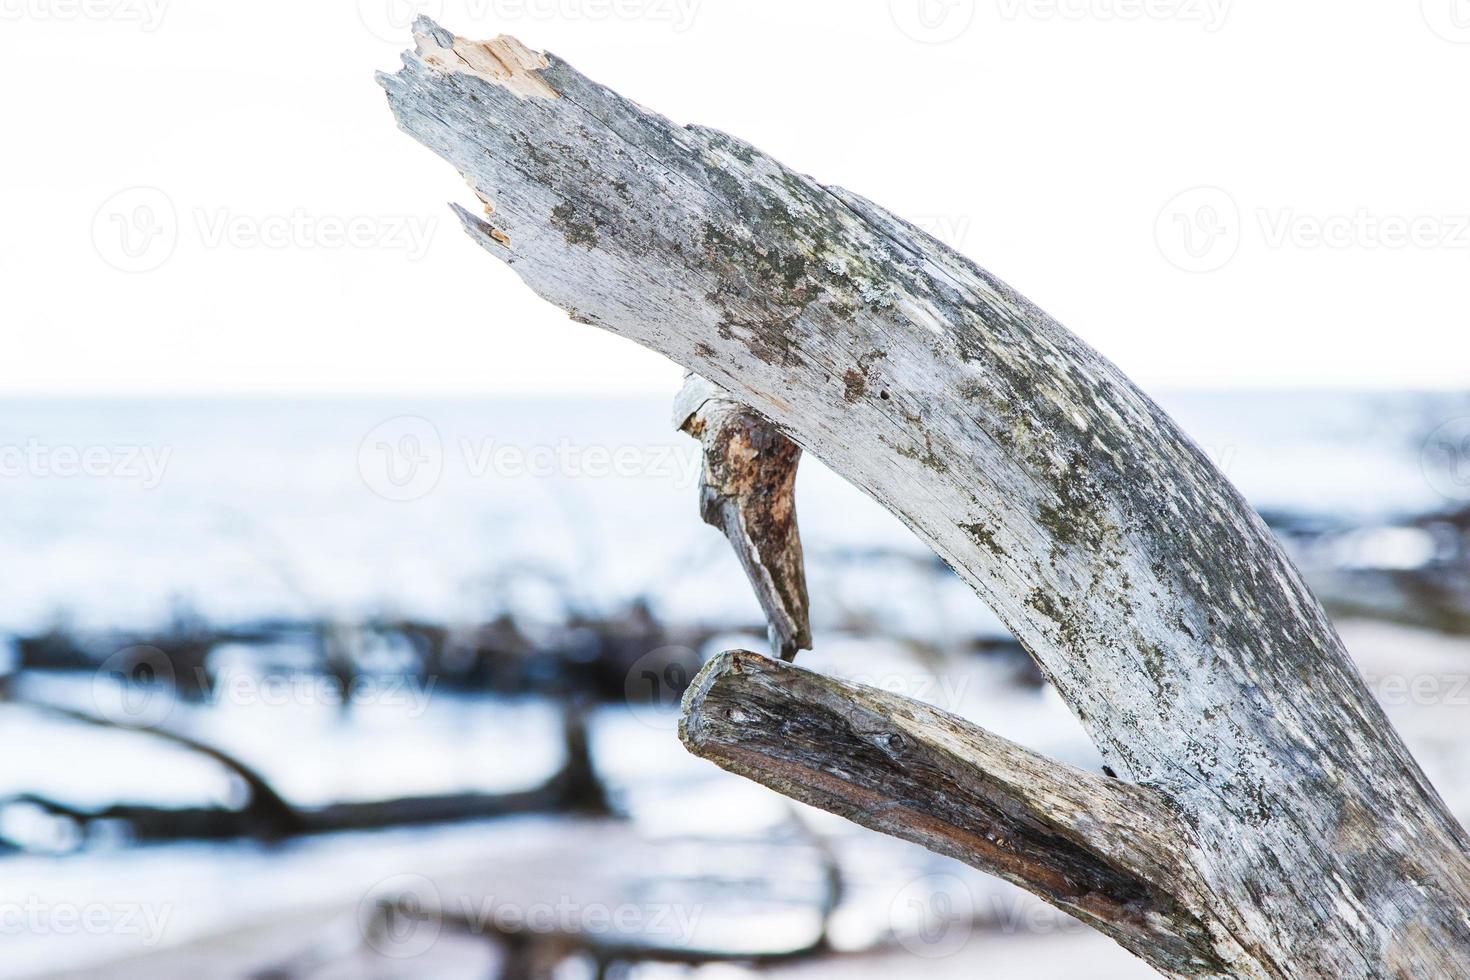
<point>1114,854</point>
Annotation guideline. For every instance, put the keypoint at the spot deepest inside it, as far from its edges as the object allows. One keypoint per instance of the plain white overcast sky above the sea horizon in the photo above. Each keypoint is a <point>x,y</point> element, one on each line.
<point>211,198</point>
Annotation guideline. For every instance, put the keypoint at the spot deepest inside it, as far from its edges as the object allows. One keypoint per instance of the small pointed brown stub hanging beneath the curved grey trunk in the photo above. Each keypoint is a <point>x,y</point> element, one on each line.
<point>747,490</point>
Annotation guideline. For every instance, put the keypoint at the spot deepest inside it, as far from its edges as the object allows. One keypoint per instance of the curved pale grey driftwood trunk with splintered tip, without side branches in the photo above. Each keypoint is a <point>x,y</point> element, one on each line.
<point>1146,588</point>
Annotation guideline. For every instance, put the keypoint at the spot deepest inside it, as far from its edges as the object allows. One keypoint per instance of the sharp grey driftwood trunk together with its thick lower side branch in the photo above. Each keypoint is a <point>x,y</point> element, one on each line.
<point>1266,819</point>
